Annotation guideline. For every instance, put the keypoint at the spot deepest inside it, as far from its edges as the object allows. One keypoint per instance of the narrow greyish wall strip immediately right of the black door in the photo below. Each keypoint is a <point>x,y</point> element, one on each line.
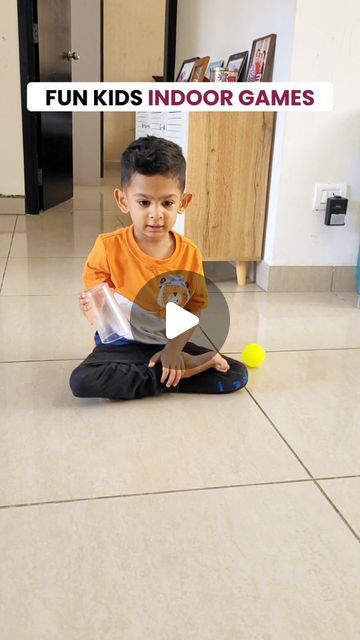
<point>85,40</point>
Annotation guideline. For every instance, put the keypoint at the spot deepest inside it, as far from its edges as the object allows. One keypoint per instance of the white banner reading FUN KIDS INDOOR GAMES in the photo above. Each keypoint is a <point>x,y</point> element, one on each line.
<point>178,96</point>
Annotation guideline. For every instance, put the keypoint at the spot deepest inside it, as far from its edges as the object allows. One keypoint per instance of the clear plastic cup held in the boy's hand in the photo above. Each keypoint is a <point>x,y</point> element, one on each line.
<point>108,319</point>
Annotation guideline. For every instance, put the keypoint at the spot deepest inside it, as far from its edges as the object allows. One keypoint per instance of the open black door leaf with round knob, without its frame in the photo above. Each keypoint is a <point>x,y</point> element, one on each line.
<point>55,130</point>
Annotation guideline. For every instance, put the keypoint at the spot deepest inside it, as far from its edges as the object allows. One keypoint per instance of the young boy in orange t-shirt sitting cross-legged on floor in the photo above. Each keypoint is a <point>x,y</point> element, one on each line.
<point>149,257</point>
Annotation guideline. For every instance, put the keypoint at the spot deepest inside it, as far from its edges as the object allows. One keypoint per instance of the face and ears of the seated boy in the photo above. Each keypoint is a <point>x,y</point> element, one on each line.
<point>153,203</point>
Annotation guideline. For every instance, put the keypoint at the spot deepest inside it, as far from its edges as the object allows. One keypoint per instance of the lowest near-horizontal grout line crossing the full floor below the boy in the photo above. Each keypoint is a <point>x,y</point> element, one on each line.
<point>173,491</point>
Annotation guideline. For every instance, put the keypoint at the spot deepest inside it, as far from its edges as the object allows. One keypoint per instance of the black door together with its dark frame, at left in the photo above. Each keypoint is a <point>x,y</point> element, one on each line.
<point>44,41</point>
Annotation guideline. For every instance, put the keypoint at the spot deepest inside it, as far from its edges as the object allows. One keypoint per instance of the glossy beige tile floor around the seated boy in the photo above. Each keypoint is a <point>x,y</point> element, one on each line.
<point>198,517</point>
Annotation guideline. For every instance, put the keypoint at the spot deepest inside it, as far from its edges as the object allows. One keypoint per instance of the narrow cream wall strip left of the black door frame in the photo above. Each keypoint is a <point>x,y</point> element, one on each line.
<point>11,155</point>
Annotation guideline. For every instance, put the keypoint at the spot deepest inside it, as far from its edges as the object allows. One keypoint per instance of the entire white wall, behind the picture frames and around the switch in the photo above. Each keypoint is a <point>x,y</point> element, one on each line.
<point>317,40</point>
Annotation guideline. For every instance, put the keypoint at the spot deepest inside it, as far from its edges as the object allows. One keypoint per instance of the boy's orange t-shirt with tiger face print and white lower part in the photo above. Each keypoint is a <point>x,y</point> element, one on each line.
<point>117,259</point>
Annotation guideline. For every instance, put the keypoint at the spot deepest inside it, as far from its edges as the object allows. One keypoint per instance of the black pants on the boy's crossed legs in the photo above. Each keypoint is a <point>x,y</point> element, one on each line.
<point>122,373</point>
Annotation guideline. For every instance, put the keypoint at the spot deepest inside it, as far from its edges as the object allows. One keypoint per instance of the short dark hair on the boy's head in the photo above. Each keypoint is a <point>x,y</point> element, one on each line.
<point>150,156</point>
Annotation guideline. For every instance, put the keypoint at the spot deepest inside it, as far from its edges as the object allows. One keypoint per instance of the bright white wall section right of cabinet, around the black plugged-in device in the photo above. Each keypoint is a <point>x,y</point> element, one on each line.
<point>322,147</point>
